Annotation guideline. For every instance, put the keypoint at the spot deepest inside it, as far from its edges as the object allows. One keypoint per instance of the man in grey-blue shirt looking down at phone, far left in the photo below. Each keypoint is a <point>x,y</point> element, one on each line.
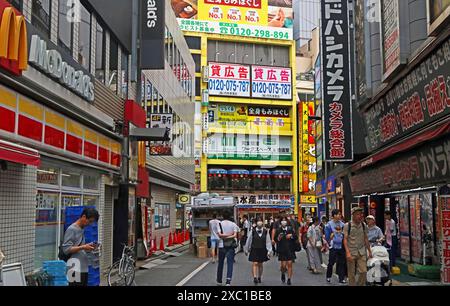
<point>75,246</point>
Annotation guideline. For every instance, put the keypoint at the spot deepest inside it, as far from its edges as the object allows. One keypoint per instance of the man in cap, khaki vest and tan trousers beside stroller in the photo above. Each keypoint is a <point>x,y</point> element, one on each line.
<point>356,244</point>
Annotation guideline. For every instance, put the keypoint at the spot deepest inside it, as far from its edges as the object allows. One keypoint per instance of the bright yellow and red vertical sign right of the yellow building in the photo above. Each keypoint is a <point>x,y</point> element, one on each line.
<point>308,154</point>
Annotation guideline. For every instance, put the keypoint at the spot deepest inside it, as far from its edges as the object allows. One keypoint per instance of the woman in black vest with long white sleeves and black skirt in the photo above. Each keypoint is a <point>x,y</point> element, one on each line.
<point>259,245</point>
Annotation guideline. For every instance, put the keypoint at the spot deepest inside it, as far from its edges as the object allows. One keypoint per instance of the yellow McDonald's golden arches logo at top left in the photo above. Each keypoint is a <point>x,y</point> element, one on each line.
<point>13,38</point>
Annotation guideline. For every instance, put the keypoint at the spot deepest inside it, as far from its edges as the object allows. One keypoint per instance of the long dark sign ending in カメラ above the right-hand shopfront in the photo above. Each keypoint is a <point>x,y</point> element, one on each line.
<point>426,164</point>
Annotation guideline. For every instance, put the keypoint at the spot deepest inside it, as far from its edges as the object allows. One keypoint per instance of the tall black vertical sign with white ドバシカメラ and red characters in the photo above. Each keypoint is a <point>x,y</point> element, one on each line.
<point>337,103</point>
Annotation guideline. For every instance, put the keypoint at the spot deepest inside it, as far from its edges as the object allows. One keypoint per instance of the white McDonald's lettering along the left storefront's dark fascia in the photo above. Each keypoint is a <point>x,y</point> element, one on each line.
<point>52,63</point>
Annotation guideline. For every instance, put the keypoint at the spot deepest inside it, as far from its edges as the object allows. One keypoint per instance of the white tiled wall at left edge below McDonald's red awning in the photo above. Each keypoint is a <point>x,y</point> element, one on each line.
<point>17,214</point>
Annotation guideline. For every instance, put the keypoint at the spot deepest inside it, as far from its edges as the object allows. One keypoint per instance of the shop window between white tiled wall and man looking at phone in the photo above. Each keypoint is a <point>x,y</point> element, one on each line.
<point>46,227</point>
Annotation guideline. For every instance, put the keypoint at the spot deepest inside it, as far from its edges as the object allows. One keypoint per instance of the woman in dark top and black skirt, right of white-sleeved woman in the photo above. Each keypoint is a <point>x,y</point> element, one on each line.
<point>285,237</point>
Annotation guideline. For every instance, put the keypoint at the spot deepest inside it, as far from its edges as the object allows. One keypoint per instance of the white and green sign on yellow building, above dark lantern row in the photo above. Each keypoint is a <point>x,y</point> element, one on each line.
<point>249,147</point>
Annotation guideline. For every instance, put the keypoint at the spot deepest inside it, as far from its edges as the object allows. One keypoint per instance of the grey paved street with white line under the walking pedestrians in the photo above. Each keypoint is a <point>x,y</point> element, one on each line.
<point>188,270</point>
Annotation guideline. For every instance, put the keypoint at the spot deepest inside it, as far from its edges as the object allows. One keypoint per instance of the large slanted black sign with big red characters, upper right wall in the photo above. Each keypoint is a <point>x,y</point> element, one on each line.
<point>421,97</point>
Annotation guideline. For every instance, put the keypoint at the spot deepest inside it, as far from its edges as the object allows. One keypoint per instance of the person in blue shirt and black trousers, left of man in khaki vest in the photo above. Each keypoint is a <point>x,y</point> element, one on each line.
<point>337,253</point>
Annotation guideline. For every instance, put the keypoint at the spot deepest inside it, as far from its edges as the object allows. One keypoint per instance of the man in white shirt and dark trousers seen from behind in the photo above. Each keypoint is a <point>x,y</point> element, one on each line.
<point>228,232</point>
